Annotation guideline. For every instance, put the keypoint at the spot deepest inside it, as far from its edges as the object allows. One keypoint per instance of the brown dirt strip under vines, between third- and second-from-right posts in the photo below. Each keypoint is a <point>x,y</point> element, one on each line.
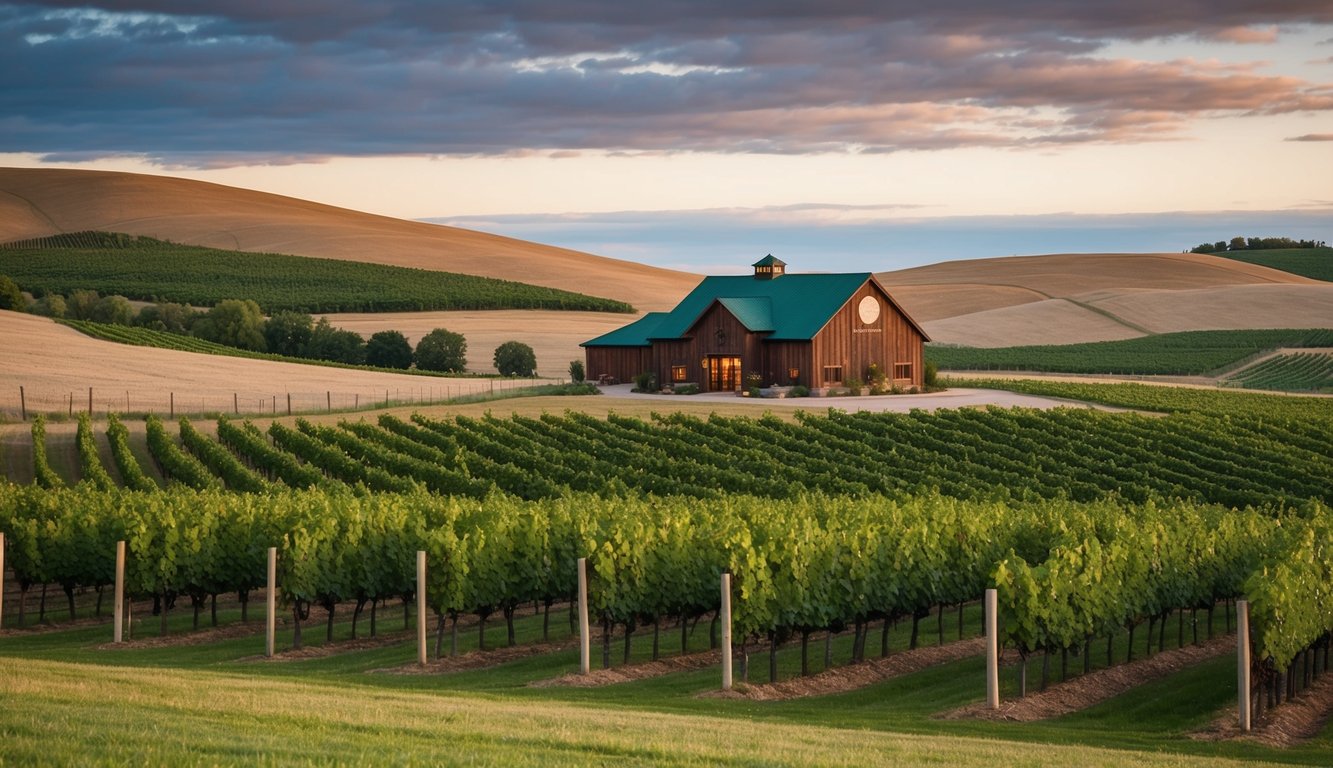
<point>842,679</point>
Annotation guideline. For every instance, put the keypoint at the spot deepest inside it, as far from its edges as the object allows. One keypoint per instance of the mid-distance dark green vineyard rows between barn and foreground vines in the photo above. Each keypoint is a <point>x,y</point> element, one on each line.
<point>994,454</point>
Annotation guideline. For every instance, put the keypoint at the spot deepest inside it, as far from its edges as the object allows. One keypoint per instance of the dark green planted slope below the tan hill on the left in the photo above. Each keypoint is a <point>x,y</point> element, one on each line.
<point>153,270</point>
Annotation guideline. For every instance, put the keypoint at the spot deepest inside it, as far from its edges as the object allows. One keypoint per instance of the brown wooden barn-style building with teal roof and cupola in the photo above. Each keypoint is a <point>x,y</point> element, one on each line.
<point>811,330</point>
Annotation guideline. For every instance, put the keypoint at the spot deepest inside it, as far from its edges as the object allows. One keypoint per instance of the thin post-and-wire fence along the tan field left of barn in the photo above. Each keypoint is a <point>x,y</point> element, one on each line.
<point>25,403</point>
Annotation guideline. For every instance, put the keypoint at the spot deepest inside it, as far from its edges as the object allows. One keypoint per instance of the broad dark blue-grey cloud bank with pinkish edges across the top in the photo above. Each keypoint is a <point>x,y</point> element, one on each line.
<point>235,82</point>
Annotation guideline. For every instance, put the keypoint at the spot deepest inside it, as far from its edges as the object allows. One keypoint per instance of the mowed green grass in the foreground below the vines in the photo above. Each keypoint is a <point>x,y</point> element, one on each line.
<point>69,699</point>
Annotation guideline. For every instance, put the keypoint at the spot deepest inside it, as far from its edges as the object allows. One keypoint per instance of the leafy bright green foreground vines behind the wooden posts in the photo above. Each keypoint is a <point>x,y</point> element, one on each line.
<point>1066,573</point>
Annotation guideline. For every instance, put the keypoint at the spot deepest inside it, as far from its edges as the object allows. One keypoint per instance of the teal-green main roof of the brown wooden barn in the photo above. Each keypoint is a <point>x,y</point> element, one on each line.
<point>799,306</point>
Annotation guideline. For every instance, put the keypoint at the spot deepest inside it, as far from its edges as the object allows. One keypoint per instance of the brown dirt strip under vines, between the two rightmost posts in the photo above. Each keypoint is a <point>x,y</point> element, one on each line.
<point>1096,687</point>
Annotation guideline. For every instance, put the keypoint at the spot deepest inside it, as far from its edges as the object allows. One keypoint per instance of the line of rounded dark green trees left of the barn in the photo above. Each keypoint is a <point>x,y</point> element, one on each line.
<point>241,323</point>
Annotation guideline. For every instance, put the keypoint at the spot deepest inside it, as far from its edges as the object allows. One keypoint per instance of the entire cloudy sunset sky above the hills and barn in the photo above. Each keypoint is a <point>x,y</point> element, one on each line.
<point>836,134</point>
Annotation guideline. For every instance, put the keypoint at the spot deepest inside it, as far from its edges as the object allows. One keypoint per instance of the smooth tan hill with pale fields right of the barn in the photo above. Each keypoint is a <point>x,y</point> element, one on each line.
<point>1072,298</point>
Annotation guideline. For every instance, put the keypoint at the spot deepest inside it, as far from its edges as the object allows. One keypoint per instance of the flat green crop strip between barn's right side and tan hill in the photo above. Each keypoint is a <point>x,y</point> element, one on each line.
<point>1187,354</point>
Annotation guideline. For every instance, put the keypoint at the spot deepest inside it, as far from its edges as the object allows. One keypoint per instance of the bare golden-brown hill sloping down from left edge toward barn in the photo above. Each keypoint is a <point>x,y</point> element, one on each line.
<point>39,202</point>
